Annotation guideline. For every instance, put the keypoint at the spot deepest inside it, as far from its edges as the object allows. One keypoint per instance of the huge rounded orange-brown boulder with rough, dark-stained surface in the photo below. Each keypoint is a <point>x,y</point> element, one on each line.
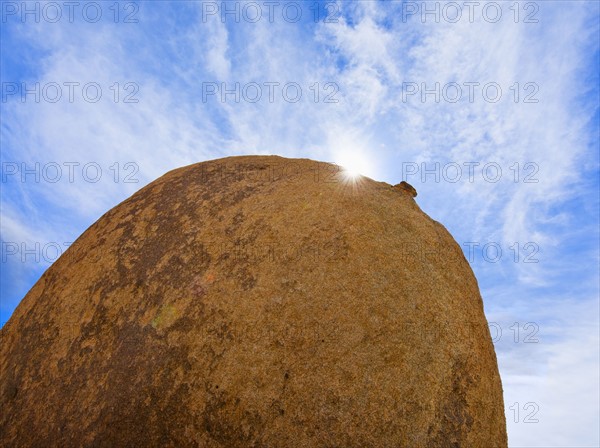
<point>254,302</point>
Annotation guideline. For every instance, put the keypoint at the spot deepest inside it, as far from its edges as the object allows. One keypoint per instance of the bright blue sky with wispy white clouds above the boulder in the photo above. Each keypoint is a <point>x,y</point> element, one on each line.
<point>489,109</point>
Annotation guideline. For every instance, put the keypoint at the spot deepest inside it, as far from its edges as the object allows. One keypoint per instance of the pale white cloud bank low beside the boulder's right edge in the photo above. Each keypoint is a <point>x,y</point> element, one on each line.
<point>558,373</point>
